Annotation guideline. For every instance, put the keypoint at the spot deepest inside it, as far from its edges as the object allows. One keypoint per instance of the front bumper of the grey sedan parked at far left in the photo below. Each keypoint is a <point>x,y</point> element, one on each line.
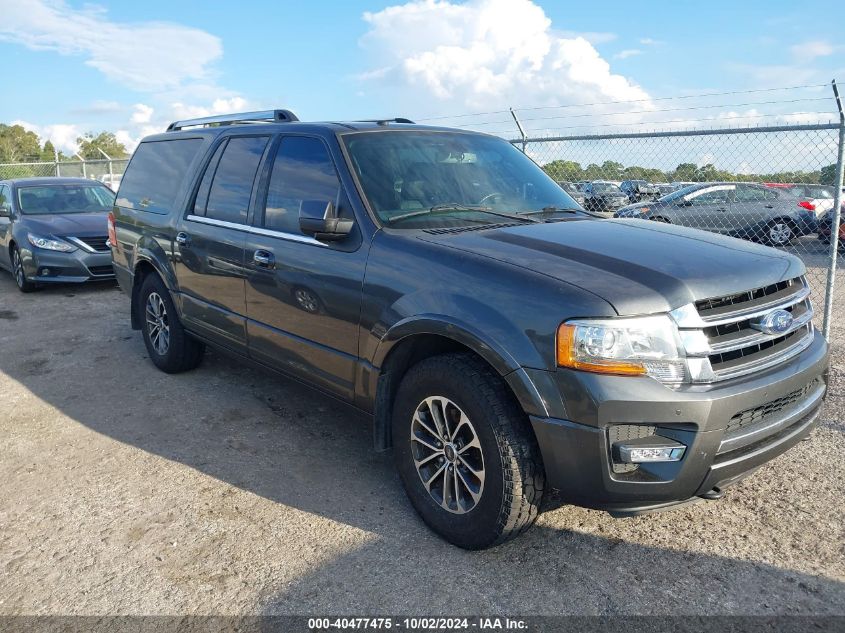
<point>43,266</point>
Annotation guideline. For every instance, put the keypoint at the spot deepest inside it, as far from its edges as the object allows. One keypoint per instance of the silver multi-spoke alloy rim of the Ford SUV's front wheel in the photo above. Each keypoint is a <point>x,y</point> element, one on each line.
<point>447,454</point>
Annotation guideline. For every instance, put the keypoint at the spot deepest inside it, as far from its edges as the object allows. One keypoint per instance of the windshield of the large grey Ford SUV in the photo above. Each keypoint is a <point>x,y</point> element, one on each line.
<point>416,179</point>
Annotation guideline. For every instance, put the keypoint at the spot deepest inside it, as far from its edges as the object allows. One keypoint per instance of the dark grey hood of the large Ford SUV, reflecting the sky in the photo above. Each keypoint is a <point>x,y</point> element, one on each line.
<point>639,267</point>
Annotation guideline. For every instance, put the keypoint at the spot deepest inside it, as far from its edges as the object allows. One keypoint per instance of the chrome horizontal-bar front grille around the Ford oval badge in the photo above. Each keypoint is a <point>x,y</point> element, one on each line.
<point>725,333</point>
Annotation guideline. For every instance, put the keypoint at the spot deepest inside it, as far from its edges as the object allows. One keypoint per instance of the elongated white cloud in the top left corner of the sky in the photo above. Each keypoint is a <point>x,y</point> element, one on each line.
<point>146,56</point>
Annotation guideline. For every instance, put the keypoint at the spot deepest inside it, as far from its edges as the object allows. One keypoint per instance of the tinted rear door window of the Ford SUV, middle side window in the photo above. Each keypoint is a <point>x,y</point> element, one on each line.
<point>232,178</point>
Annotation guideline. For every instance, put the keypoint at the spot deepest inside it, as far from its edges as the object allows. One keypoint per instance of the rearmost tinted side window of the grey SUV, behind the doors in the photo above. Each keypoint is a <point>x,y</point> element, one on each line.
<point>156,173</point>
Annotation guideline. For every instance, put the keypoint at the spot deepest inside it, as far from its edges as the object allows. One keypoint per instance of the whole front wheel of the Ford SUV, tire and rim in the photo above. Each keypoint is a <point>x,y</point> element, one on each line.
<point>465,452</point>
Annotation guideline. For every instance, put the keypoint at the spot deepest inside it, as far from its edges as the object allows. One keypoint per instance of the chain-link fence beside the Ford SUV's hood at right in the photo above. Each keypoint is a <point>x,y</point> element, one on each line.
<point>773,185</point>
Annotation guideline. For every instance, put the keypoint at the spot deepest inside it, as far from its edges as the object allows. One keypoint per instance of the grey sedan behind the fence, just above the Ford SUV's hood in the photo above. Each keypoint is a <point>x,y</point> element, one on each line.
<point>745,210</point>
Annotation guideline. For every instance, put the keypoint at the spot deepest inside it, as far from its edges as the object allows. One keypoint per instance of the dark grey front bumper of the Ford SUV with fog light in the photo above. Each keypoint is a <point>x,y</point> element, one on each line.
<point>576,443</point>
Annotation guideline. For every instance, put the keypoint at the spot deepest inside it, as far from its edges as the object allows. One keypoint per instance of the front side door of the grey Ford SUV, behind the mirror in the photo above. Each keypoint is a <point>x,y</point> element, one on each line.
<point>304,296</point>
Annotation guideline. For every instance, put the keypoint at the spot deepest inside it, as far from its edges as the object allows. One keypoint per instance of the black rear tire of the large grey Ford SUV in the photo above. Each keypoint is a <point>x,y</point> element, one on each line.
<point>181,352</point>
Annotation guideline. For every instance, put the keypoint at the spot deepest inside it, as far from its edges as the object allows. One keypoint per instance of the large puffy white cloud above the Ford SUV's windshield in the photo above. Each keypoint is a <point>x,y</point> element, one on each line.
<point>436,54</point>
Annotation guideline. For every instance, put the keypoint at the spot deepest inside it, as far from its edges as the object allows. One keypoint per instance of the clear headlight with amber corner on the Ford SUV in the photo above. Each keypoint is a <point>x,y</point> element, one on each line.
<point>627,347</point>
